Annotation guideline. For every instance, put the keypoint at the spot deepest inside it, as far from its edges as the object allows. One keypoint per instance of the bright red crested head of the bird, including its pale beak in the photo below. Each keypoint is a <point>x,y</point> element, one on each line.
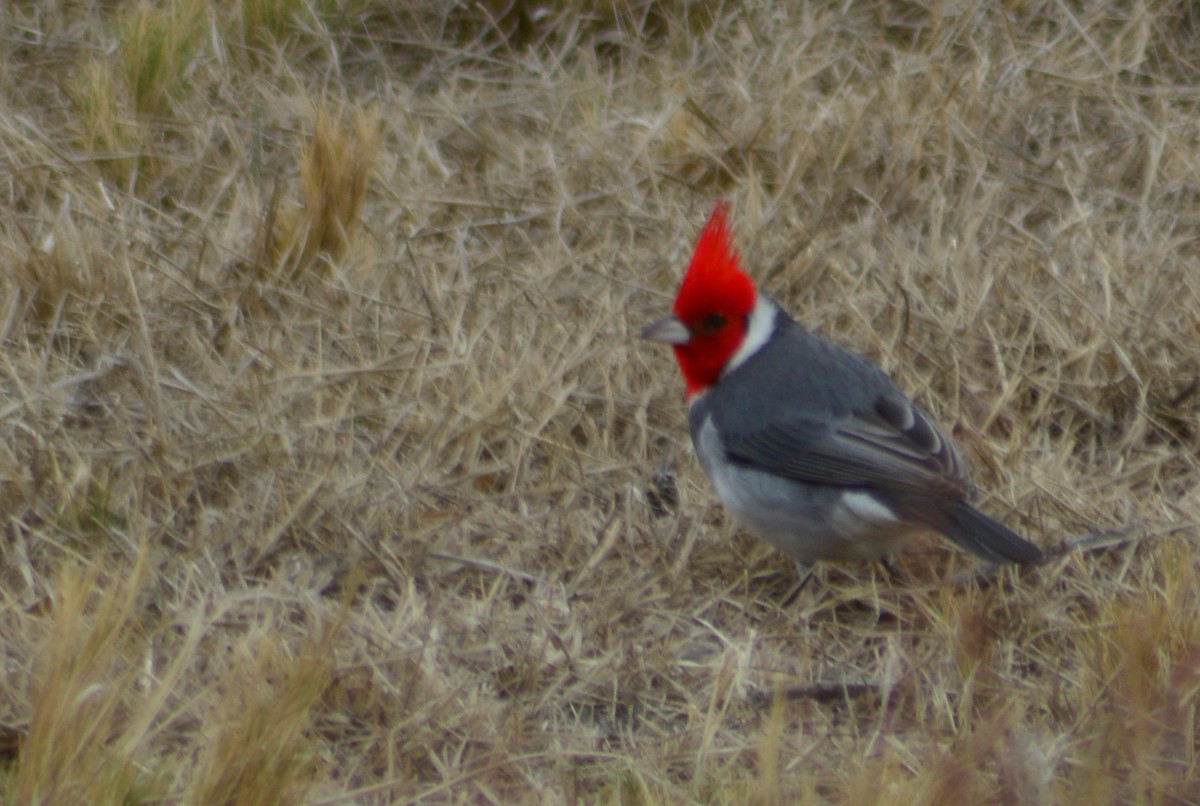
<point>712,310</point>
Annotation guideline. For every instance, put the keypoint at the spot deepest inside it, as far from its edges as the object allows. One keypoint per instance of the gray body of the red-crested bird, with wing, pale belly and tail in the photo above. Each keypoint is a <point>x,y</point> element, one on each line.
<point>818,452</point>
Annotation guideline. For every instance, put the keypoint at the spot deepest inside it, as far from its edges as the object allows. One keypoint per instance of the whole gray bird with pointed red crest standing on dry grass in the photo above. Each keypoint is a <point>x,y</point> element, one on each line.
<point>811,447</point>
